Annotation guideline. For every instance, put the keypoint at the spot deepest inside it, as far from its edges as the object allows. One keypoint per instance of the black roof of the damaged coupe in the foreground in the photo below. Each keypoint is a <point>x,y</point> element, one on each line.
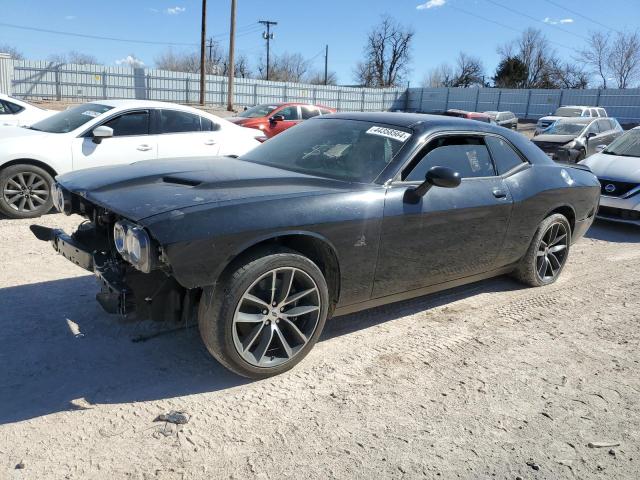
<point>418,121</point>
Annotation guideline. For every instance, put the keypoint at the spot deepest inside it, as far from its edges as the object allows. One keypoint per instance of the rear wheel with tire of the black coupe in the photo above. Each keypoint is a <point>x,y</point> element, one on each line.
<point>547,255</point>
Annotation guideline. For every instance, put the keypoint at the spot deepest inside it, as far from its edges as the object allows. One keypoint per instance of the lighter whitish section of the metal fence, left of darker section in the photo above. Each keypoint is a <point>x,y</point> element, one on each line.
<point>48,80</point>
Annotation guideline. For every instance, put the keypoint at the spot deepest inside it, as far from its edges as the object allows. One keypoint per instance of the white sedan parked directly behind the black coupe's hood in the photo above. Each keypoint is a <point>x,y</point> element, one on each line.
<point>106,133</point>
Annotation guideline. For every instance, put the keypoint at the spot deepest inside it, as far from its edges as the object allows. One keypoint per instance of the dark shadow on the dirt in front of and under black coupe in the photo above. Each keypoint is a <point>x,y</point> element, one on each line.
<point>59,351</point>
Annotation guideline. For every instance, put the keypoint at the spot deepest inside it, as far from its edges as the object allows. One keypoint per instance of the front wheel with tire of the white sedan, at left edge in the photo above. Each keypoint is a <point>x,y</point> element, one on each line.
<point>25,191</point>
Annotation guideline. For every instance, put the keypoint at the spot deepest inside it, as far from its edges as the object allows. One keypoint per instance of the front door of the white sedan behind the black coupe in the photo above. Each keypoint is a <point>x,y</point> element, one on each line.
<point>131,142</point>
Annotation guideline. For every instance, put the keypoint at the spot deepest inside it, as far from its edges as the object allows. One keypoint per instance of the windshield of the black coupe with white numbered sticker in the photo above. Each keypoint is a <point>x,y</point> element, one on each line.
<point>348,150</point>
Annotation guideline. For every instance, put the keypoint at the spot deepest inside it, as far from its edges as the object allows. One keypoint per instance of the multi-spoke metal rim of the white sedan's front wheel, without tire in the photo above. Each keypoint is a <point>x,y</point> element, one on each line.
<point>26,192</point>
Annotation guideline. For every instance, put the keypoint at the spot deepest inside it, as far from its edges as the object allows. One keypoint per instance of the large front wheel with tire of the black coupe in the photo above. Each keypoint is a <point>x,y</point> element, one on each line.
<point>266,314</point>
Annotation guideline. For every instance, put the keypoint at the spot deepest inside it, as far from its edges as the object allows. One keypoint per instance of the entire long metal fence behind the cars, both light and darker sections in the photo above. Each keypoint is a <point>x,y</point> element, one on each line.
<point>51,81</point>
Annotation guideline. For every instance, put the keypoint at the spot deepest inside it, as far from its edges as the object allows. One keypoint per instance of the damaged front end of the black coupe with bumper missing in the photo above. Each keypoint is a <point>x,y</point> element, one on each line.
<point>134,276</point>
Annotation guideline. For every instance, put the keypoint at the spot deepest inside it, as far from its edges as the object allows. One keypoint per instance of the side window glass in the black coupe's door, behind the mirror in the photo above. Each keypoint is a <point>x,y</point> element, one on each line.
<point>467,155</point>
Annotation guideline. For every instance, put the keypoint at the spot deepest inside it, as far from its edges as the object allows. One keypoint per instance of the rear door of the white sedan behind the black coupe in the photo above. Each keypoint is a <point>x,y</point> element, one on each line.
<point>185,134</point>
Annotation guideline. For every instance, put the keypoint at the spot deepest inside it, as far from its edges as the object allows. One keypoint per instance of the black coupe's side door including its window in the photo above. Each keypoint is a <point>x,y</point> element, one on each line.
<point>450,233</point>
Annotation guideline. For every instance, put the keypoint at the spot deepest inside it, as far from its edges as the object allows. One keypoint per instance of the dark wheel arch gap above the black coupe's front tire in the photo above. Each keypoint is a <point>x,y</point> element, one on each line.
<point>310,244</point>
